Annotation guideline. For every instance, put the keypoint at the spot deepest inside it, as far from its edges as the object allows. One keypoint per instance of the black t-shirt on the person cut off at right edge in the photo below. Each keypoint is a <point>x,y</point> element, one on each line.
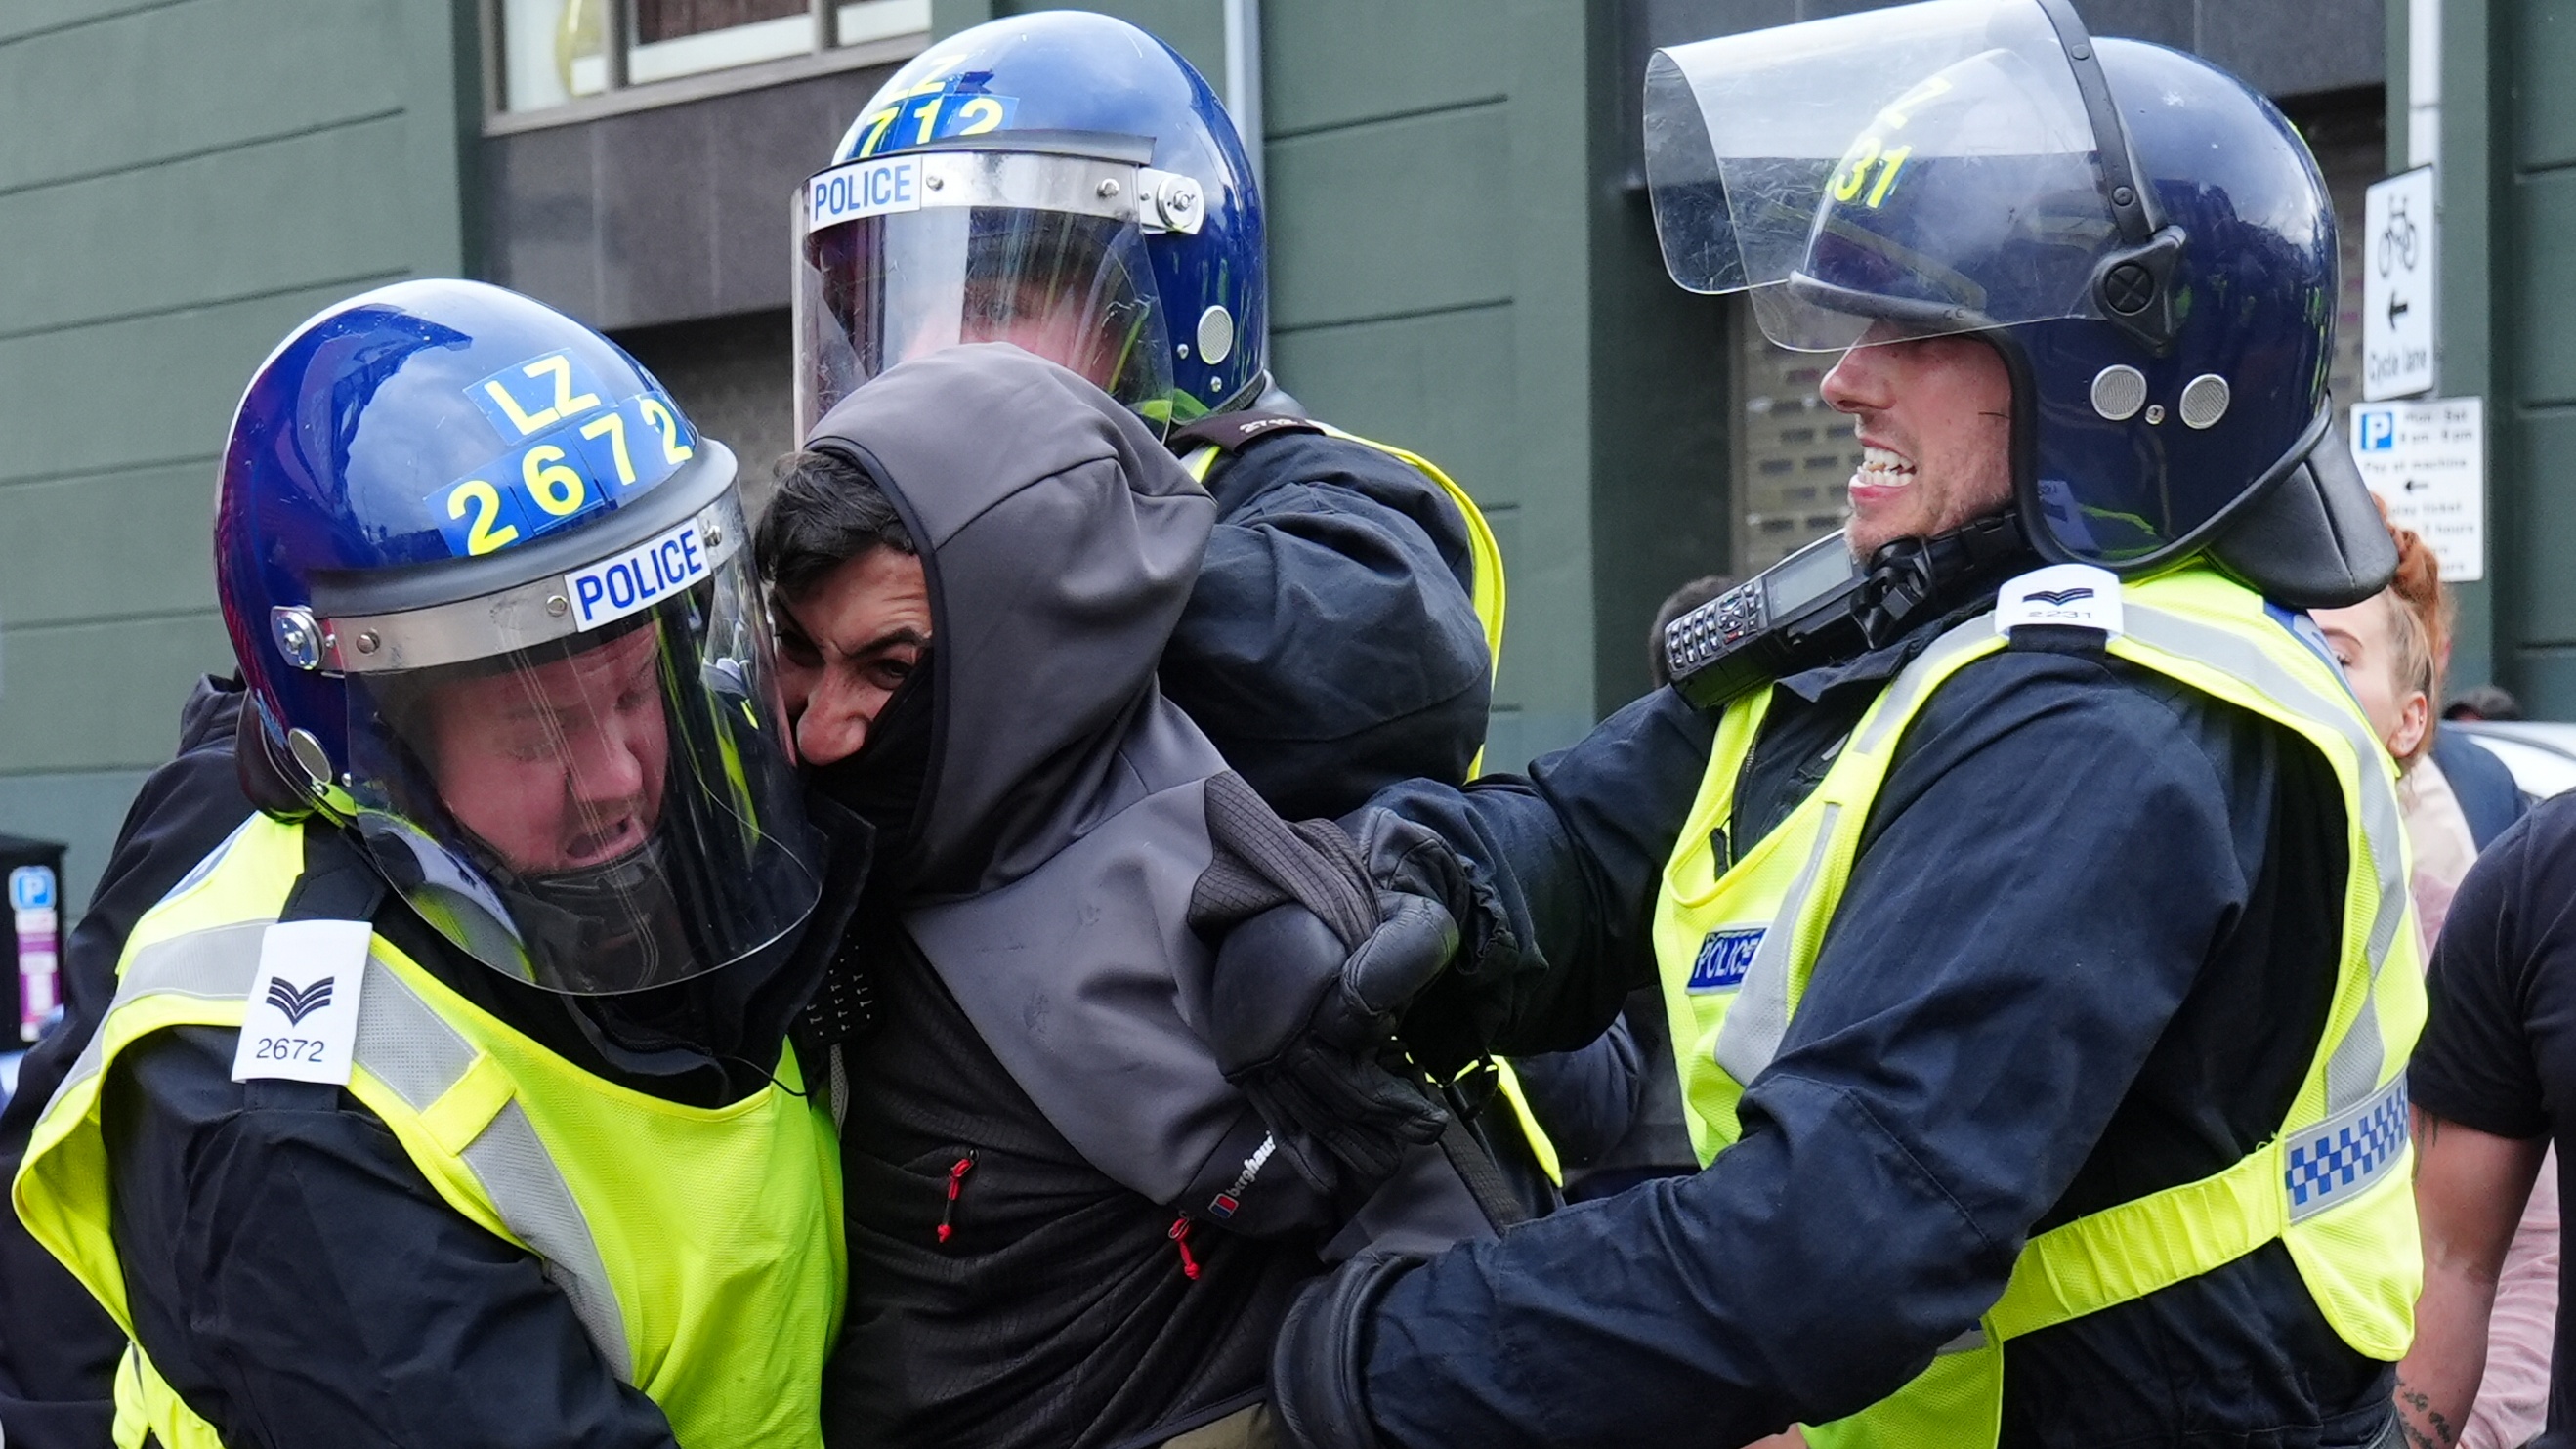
<point>2500,1048</point>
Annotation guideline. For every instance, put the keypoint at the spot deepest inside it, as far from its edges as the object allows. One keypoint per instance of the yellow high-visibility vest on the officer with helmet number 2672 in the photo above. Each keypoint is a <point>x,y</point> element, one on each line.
<point>702,1249</point>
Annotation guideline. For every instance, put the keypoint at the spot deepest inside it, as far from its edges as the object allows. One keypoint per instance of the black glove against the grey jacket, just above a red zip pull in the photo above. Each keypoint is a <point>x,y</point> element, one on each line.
<point>1305,1027</point>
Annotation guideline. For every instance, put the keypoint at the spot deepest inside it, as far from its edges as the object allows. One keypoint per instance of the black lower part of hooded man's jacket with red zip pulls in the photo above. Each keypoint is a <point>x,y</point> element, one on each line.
<point>1055,1311</point>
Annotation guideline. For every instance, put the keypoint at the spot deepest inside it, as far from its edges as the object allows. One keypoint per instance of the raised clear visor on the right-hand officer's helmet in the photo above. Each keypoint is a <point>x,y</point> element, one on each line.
<point>1926,169</point>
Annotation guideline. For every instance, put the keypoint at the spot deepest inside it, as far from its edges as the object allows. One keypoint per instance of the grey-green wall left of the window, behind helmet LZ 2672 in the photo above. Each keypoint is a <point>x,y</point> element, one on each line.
<point>179,187</point>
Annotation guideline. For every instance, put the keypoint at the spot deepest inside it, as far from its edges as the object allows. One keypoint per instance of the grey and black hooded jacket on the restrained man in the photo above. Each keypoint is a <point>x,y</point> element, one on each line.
<point>1063,1221</point>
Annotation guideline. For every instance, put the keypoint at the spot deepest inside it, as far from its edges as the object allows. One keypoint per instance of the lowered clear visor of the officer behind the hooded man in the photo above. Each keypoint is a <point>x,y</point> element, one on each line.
<point>1042,251</point>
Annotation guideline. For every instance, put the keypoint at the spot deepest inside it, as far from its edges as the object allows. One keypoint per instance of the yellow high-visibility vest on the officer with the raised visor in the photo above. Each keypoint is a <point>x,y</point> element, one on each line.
<point>1740,942</point>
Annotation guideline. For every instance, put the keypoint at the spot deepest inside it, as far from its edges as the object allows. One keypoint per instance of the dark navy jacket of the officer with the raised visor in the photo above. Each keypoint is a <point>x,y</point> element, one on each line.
<point>2085,955</point>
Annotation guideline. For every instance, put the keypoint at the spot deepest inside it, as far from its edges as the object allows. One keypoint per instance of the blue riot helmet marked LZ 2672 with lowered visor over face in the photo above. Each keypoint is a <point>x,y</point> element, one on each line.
<point>496,607</point>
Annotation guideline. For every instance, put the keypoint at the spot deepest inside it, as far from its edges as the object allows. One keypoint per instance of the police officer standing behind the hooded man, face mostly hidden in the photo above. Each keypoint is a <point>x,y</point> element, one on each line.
<point>1351,605</point>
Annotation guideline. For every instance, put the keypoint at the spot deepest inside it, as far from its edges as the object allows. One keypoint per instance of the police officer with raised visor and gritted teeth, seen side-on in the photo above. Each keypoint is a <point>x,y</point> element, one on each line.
<point>2041,973</point>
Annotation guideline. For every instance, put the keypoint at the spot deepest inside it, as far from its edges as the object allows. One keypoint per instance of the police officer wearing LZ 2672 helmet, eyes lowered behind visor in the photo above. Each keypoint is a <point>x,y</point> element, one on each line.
<point>450,1102</point>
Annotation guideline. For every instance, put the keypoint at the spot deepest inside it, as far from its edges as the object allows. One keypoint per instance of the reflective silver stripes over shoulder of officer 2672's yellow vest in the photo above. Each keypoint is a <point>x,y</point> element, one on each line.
<point>413,1051</point>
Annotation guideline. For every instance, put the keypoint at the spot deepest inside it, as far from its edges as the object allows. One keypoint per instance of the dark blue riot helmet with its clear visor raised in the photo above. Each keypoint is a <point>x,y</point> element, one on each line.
<point>2142,236</point>
